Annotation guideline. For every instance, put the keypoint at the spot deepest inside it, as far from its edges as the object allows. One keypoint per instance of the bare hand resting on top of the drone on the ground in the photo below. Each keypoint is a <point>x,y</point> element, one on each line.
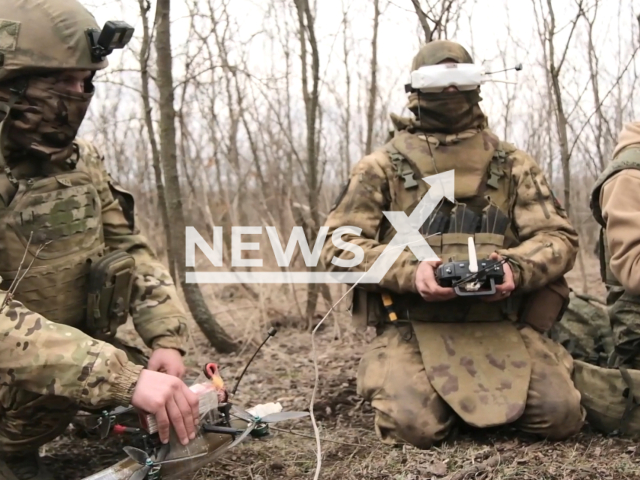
<point>172,403</point>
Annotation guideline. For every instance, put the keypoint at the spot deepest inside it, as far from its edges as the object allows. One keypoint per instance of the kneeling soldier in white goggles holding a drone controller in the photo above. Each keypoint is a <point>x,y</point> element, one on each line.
<point>440,358</point>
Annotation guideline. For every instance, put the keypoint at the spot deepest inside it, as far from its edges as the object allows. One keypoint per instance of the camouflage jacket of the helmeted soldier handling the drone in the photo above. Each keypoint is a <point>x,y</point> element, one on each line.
<point>45,355</point>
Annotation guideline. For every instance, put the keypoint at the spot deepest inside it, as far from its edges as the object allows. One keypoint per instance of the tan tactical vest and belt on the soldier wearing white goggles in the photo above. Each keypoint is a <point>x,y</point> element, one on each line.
<point>485,196</point>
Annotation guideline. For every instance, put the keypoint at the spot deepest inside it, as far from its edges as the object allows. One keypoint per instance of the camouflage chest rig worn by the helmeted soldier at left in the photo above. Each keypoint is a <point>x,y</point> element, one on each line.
<point>51,233</point>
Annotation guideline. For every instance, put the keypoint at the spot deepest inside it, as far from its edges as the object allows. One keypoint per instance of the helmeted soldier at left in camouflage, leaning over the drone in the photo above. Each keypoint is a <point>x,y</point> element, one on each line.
<point>60,211</point>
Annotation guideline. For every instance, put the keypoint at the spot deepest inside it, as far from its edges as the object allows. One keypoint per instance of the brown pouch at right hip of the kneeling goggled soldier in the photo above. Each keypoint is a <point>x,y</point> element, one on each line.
<point>544,307</point>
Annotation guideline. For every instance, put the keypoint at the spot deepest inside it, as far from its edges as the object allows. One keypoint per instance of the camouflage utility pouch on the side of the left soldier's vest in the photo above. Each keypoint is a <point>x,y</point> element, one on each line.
<point>110,284</point>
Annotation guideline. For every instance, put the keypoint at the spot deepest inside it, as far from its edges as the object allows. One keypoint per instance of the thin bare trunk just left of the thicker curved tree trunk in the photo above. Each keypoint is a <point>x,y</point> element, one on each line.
<point>145,6</point>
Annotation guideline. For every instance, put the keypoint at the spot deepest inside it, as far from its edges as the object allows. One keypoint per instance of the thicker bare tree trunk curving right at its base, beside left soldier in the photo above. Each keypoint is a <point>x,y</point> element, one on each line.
<point>168,152</point>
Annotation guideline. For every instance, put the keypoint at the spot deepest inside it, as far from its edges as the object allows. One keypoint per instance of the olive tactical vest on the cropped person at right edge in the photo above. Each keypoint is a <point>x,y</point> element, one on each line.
<point>616,294</point>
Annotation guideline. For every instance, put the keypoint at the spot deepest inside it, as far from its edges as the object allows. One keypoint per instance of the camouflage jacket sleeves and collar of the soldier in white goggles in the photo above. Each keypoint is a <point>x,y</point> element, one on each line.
<point>547,242</point>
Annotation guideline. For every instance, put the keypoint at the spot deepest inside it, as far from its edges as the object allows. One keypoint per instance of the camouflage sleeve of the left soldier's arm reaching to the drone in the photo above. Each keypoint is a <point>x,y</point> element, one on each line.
<point>54,359</point>
